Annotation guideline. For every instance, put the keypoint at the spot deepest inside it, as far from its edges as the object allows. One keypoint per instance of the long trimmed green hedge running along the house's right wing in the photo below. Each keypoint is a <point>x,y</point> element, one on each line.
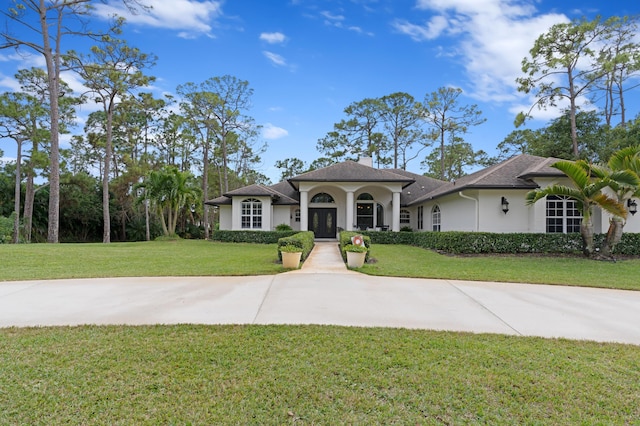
<point>485,242</point>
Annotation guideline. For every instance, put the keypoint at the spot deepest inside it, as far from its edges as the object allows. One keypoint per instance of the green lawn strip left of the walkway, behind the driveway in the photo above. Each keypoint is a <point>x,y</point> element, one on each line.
<point>156,258</point>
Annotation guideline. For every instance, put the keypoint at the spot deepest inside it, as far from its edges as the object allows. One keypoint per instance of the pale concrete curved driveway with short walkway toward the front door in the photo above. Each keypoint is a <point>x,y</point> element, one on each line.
<point>324,292</point>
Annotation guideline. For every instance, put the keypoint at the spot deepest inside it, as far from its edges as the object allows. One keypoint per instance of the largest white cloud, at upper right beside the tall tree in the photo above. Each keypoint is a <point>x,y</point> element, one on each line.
<point>491,36</point>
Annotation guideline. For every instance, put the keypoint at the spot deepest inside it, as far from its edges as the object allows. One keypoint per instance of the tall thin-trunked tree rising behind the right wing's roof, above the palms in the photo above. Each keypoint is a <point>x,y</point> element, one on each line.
<point>562,67</point>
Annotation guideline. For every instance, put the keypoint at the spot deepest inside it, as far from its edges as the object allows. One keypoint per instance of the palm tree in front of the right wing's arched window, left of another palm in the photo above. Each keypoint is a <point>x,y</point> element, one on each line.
<point>587,192</point>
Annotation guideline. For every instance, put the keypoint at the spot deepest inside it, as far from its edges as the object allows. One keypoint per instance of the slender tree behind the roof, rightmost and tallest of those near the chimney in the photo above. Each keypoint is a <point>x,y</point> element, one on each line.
<point>448,119</point>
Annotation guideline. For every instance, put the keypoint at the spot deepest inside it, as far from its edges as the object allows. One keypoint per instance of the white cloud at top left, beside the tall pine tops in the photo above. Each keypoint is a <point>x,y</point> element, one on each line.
<point>190,16</point>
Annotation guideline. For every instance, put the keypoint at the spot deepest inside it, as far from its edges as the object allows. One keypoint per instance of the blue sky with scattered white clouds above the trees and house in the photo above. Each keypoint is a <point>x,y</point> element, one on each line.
<point>306,60</point>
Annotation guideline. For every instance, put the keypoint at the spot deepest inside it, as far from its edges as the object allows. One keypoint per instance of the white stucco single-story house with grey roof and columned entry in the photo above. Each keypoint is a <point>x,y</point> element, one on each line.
<point>356,196</point>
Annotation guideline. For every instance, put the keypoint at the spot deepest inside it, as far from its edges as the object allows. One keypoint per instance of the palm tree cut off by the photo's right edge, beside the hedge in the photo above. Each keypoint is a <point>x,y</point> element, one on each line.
<point>623,174</point>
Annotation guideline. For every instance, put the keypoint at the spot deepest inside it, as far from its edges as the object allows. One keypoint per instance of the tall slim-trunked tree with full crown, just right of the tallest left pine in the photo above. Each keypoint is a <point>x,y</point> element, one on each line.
<point>112,71</point>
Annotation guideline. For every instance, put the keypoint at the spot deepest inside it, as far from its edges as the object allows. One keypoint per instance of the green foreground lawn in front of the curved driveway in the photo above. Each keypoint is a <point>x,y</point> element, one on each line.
<point>309,375</point>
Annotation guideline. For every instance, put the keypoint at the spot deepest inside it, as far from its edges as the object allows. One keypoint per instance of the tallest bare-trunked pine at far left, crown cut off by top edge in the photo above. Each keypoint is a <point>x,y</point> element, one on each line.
<point>55,19</point>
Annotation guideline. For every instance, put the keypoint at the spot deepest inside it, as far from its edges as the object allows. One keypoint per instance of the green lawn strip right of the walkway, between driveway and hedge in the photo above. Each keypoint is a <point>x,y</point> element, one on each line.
<point>406,261</point>
